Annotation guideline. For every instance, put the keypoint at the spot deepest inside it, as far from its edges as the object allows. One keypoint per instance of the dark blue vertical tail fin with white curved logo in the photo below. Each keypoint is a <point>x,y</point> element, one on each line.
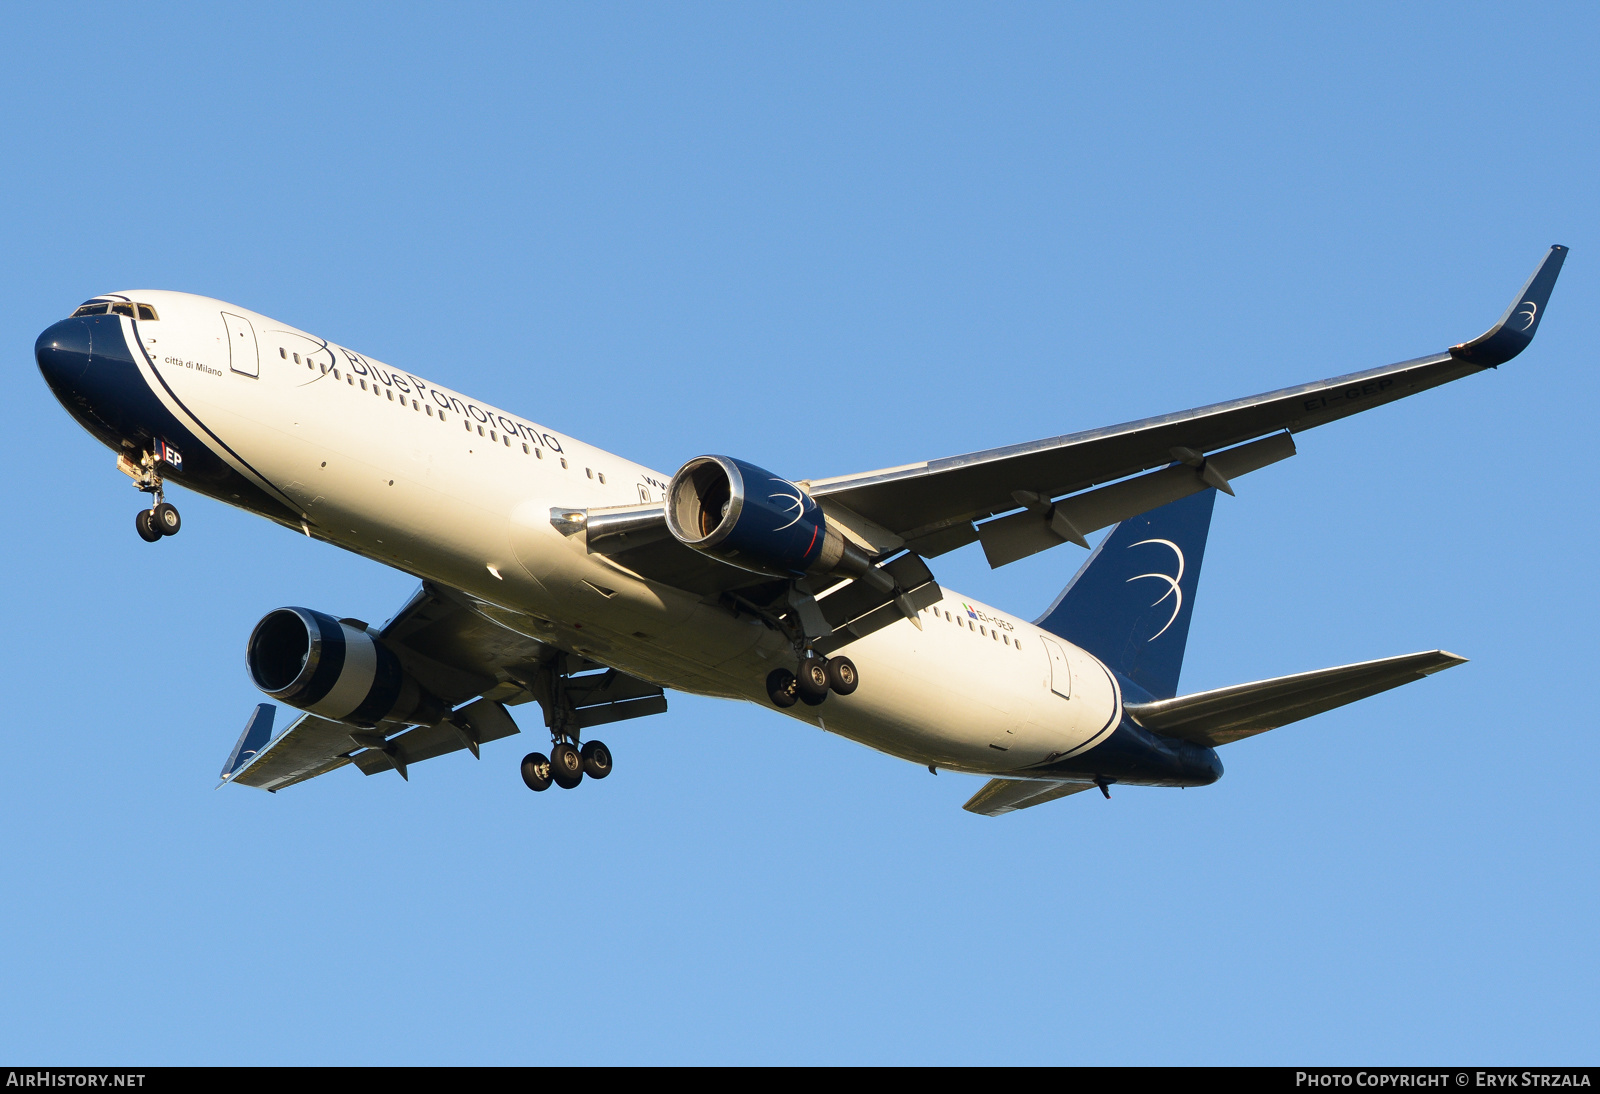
<point>1132,602</point>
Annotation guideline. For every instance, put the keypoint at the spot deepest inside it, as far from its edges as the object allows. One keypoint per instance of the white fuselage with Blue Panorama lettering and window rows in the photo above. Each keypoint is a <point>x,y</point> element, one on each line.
<point>402,471</point>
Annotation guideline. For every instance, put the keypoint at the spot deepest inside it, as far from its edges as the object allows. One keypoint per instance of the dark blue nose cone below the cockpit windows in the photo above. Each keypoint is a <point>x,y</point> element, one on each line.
<point>89,367</point>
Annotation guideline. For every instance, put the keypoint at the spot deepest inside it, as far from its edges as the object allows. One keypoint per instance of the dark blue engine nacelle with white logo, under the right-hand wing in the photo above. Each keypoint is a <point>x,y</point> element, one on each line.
<point>756,521</point>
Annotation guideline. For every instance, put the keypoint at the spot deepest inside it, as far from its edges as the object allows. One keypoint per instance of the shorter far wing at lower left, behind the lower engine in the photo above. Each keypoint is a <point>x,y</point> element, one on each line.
<point>463,652</point>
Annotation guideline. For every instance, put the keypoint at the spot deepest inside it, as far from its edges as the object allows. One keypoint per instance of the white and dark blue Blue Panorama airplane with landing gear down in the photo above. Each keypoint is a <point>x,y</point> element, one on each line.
<point>562,575</point>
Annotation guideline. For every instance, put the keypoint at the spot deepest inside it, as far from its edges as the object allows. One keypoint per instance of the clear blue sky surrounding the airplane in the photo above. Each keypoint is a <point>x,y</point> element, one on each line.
<point>826,239</point>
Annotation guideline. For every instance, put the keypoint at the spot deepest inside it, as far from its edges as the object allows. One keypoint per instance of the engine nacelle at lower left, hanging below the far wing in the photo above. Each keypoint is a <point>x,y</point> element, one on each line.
<point>335,671</point>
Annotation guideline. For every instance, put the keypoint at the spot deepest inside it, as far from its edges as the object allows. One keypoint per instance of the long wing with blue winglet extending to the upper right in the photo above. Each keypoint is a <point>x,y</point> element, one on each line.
<point>930,508</point>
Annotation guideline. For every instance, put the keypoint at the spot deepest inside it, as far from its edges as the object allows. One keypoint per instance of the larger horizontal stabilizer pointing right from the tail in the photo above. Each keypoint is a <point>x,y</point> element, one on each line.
<point>1230,714</point>
